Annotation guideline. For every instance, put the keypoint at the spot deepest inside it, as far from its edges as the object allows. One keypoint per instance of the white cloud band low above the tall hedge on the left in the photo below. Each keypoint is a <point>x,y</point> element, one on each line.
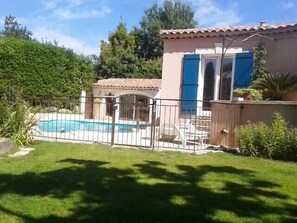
<point>78,47</point>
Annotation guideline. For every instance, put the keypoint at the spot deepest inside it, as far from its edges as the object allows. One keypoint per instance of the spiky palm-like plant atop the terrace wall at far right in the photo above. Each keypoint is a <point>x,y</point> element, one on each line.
<point>276,85</point>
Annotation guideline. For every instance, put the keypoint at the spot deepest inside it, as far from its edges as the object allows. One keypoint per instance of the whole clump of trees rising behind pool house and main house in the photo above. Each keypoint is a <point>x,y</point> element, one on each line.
<point>138,54</point>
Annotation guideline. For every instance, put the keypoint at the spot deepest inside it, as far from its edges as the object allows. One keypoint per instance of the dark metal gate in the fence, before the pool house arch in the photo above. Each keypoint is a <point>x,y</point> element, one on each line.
<point>133,121</point>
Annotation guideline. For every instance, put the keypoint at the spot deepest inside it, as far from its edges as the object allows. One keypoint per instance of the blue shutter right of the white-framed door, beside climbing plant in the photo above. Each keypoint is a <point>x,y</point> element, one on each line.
<point>243,70</point>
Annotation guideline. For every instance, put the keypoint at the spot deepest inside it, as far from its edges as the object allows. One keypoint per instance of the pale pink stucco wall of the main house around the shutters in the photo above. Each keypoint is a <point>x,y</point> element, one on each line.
<point>281,56</point>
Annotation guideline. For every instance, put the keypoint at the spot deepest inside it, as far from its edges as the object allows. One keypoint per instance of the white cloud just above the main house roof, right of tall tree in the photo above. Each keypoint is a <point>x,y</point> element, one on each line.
<point>208,14</point>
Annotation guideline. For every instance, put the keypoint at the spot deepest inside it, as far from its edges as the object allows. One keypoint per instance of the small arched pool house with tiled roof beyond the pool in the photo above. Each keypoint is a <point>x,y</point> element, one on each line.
<point>128,93</point>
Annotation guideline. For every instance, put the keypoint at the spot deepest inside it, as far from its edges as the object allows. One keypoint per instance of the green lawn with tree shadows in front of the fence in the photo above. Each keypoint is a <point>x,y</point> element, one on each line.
<point>92,183</point>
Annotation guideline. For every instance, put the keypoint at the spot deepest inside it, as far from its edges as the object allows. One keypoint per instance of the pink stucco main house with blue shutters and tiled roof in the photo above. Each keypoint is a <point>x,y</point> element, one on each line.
<point>209,63</point>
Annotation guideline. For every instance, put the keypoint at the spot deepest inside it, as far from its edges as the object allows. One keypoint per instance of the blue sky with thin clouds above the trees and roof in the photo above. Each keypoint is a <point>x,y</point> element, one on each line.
<point>82,24</point>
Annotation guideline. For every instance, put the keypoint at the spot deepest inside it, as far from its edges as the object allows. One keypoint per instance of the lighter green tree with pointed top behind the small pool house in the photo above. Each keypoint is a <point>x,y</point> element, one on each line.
<point>117,58</point>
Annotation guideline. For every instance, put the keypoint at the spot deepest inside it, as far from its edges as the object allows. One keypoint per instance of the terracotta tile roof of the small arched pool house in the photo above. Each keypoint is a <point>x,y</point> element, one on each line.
<point>130,84</point>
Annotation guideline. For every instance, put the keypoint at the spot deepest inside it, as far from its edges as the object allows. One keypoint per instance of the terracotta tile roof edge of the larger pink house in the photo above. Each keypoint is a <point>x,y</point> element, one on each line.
<point>231,30</point>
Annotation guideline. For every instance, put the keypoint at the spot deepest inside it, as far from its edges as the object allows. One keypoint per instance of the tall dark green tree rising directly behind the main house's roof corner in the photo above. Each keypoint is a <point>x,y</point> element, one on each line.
<point>172,15</point>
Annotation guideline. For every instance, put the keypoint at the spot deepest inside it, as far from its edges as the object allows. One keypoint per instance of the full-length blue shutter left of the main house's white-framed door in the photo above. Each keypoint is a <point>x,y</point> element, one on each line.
<point>190,84</point>
